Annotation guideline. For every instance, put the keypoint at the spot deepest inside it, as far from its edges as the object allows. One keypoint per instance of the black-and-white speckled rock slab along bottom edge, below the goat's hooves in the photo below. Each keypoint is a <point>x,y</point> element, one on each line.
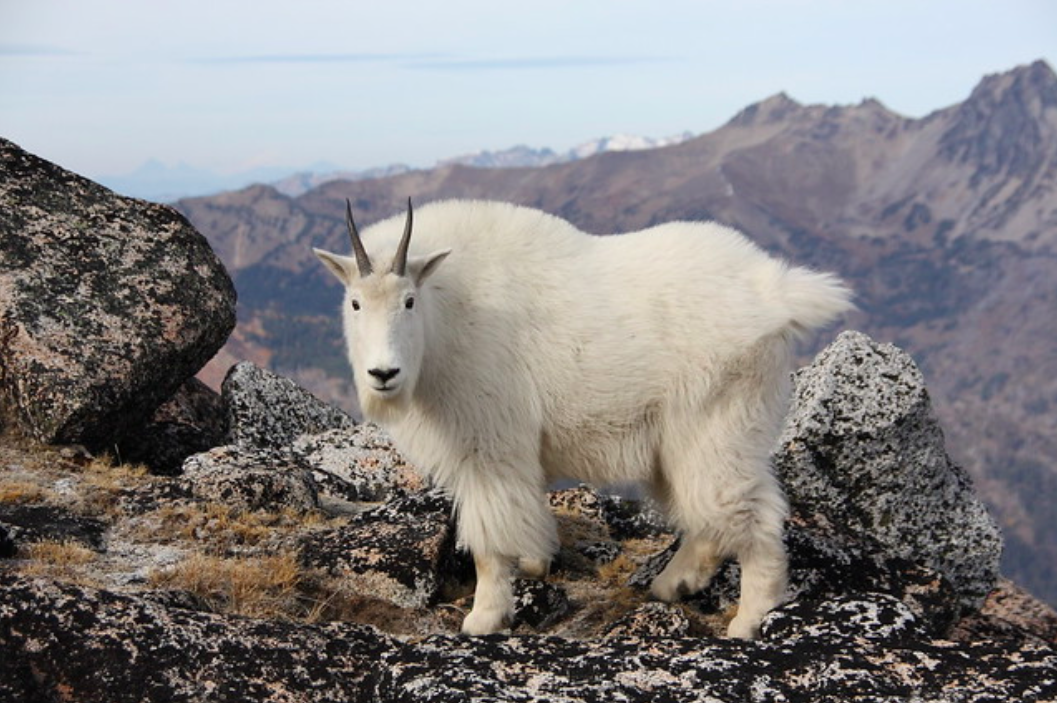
<point>827,668</point>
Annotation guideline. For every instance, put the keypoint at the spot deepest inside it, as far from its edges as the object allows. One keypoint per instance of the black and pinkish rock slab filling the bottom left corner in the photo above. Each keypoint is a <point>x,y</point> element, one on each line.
<point>61,642</point>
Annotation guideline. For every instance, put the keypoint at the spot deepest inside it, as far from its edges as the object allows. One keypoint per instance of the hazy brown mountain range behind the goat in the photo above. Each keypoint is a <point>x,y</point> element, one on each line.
<point>947,227</point>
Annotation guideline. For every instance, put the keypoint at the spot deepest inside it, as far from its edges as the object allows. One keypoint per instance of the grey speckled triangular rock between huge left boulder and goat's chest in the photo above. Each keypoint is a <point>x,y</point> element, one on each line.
<point>268,411</point>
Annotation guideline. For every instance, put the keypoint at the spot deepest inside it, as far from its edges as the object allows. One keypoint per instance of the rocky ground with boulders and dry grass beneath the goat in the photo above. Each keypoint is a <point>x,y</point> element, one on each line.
<point>259,545</point>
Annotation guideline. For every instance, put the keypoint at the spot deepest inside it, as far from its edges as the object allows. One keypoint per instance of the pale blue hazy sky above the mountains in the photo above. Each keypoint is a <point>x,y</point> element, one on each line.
<point>102,86</point>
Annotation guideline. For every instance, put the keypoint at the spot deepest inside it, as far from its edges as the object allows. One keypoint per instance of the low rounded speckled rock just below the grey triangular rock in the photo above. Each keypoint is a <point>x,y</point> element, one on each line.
<point>251,479</point>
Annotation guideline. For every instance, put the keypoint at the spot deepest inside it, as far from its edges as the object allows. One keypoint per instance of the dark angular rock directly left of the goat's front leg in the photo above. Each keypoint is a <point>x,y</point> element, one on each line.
<point>401,552</point>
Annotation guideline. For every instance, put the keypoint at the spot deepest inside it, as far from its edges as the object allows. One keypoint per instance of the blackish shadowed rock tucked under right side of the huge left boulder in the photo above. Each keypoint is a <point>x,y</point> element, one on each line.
<point>191,422</point>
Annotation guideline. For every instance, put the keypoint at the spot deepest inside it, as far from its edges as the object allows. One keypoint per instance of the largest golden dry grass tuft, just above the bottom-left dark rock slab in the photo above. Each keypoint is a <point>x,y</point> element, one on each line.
<point>258,587</point>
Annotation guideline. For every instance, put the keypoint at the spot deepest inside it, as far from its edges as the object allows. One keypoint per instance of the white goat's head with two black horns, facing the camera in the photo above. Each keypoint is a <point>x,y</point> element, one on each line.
<point>384,316</point>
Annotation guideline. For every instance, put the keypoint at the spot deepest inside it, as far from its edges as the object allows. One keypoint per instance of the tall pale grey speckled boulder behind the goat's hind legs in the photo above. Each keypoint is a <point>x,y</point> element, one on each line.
<point>863,448</point>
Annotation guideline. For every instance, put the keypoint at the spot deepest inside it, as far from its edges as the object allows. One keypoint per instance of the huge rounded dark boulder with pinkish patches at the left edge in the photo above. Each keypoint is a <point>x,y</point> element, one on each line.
<point>107,305</point>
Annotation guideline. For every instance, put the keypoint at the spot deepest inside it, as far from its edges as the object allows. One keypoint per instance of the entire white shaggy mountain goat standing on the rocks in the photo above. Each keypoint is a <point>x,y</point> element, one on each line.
<point>504,349</point>
